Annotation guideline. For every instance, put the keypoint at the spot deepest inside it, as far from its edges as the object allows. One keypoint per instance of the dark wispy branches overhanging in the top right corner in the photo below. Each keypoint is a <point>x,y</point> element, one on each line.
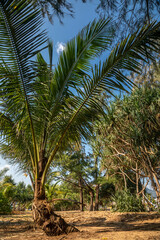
<point>129,14</point>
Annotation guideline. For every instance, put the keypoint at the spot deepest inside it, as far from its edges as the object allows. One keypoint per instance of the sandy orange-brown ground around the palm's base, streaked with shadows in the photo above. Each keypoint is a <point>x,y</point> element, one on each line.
<point>102,225</point>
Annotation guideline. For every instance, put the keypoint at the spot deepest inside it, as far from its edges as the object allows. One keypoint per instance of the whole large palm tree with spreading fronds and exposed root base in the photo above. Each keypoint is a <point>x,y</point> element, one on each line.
<point>43,109</point>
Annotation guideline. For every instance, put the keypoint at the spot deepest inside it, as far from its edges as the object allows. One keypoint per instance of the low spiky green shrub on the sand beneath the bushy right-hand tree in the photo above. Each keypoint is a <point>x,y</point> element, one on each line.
<point>127,202</point>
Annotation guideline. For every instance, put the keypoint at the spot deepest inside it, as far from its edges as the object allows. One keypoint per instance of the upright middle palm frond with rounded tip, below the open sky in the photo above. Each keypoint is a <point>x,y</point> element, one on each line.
<point>75,61</point>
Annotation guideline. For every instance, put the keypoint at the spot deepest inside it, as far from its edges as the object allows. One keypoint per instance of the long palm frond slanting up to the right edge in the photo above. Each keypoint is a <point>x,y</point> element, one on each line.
<point>125,56</point>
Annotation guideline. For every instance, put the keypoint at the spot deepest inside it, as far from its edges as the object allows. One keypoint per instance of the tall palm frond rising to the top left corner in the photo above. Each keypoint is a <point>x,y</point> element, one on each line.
<point>20,39</point>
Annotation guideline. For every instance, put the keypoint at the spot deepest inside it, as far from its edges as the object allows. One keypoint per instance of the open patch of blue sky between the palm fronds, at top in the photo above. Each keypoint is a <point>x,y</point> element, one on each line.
<point>61,33</point>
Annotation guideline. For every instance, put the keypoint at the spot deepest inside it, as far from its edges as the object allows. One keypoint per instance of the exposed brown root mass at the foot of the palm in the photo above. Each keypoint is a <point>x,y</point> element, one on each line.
<point>50,222</point>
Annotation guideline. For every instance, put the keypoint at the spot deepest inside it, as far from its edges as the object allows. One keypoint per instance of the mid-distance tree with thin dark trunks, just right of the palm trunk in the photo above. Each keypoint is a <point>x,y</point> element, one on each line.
<point>75,168</point>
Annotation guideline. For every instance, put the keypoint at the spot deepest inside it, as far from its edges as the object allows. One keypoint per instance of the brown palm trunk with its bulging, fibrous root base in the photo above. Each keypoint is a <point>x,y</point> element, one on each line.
<point>43,213</point>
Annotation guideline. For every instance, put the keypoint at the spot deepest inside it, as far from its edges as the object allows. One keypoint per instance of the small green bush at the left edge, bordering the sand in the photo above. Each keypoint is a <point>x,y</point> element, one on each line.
<point>5,205</point>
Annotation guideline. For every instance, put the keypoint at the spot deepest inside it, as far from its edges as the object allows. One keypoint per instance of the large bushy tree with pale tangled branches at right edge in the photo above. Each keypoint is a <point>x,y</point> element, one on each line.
<point>130,137</point>
